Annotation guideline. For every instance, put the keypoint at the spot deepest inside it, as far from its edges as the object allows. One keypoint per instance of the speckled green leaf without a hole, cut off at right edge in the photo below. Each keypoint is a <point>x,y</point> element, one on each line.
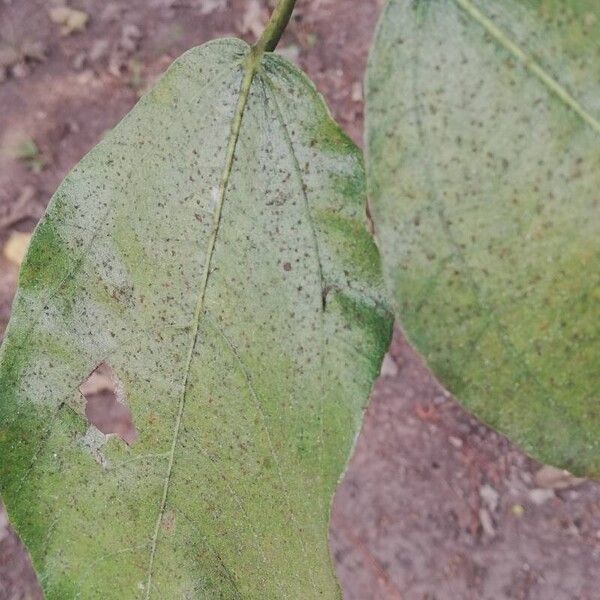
<point>484,173</point>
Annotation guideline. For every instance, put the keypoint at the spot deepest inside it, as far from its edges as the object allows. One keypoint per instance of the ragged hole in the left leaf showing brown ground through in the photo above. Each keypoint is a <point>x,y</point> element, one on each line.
<point>105,406</point>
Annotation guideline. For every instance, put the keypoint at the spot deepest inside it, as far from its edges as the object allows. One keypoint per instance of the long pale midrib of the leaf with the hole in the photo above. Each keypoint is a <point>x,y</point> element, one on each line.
<point>251,62</point>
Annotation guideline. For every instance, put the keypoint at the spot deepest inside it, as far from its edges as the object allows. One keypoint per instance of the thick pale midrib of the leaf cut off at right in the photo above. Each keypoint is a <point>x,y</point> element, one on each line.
<point>528,62</point>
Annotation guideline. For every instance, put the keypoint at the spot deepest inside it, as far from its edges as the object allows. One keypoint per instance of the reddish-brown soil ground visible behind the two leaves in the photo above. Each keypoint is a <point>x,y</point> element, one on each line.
<point>434,505</point>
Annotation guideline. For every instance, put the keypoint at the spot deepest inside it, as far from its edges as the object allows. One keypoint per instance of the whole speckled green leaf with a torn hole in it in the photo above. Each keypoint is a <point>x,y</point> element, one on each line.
<point>212,252</point>
